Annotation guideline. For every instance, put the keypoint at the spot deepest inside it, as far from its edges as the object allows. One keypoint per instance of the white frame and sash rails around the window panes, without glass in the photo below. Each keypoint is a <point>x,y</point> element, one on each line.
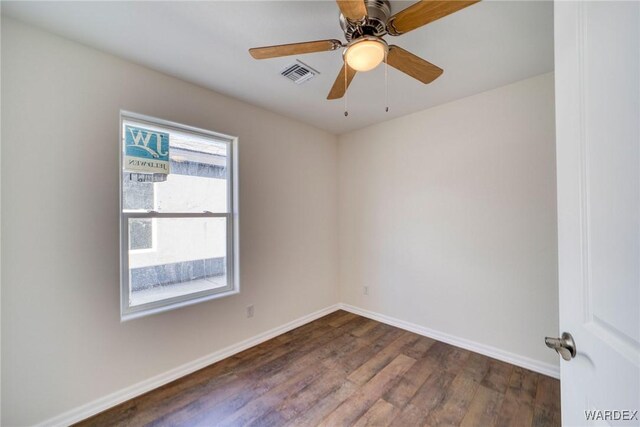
<point>232,224</point>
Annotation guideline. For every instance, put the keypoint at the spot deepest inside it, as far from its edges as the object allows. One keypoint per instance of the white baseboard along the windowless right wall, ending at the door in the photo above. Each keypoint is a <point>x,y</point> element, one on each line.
<point>493,352</point>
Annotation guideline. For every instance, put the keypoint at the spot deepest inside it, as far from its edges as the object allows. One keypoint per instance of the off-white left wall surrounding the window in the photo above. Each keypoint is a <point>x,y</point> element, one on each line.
<point>63,343</point>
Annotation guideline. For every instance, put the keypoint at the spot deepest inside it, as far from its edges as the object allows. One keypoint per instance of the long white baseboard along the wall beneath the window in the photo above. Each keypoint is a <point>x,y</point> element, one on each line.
<point>113,399</point>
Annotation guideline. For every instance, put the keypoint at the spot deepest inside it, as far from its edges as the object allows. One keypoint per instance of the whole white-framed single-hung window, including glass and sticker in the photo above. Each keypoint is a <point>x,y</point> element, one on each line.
<point>179,216</point>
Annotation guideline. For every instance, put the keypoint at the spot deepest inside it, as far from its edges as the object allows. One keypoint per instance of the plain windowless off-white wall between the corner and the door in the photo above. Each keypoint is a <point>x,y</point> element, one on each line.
<point>449,217</point>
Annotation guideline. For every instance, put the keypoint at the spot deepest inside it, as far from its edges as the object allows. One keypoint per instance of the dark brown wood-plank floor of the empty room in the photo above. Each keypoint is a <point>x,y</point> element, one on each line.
<point>342,370</point>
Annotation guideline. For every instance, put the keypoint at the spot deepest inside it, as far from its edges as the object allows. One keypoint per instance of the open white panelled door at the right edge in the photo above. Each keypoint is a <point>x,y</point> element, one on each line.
<point>597,56</point>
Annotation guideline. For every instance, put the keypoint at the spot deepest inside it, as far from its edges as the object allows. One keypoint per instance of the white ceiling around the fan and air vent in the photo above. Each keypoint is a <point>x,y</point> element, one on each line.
<point>482,47</point>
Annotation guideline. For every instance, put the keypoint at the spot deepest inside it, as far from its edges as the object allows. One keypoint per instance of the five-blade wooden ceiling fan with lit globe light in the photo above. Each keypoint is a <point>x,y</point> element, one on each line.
<point>364,23</point>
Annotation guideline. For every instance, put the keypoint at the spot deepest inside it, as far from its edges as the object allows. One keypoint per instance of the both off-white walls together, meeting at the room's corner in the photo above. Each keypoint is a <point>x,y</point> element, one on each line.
<point>447,215</point>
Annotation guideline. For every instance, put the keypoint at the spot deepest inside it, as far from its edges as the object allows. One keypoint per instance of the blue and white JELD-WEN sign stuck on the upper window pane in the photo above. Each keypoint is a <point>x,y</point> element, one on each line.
<point>146,150</point>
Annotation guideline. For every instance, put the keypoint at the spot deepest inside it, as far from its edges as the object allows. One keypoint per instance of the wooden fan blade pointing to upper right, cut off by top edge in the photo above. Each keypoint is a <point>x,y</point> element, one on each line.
<point>422,13</point>
